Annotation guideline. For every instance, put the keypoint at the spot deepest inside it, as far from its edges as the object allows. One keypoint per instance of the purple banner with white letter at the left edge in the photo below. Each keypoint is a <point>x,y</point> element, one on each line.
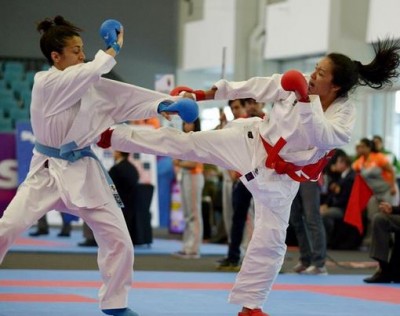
<point>8,170</point>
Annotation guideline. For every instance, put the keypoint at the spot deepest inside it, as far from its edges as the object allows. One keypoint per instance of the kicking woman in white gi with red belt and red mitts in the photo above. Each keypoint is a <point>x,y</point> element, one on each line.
<point>273,154</point>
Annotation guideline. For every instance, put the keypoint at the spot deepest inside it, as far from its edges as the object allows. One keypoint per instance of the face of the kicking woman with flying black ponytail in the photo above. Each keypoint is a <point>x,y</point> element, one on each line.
<point>321,79</point>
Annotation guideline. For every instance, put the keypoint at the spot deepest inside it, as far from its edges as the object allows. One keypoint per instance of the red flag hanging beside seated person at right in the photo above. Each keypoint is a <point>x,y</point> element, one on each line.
<point>358,200</point>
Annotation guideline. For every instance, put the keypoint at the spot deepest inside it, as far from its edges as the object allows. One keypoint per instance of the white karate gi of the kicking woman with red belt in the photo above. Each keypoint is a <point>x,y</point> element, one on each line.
<point>310,134</point>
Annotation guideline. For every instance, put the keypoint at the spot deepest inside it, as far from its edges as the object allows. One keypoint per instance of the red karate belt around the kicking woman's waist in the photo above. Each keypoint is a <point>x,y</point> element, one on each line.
<point>305,173</point>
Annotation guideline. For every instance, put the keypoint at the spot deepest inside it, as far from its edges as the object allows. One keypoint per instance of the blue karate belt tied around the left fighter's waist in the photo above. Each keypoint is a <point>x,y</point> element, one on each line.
<point>70,153</point>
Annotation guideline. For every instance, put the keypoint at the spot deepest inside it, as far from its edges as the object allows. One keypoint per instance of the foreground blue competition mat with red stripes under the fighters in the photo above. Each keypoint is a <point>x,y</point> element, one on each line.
<point>65,293</point>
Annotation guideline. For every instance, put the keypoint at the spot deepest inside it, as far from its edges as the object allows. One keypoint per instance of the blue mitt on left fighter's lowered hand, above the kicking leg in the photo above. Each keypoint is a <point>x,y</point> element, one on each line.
<point>186,108</point>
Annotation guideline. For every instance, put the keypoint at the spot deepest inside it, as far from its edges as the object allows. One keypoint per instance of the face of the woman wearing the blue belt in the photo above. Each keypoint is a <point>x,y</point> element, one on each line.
<point>71,55</point>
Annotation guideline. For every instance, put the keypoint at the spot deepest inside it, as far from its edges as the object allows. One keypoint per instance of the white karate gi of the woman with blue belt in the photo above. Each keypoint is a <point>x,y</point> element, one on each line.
<point>76,104</point>
